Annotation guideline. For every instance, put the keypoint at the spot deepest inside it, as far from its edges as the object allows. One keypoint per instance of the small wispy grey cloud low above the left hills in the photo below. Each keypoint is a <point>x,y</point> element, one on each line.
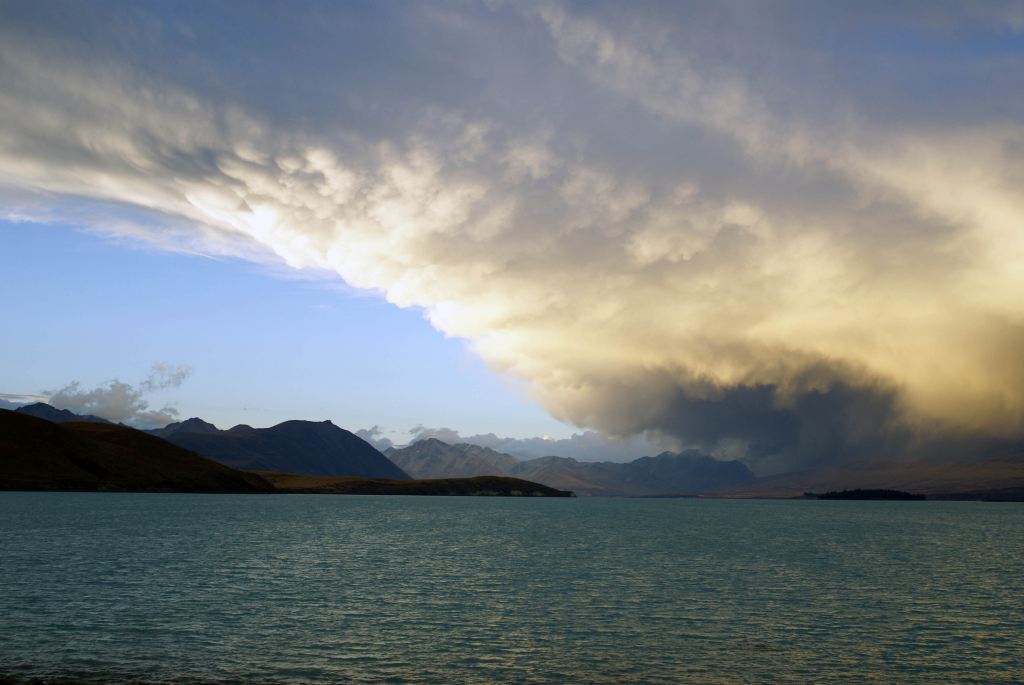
<point>121,402</point>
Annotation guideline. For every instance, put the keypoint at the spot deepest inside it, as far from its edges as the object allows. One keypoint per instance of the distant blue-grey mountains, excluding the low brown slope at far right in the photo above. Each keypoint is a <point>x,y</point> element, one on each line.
<point>312,449</point>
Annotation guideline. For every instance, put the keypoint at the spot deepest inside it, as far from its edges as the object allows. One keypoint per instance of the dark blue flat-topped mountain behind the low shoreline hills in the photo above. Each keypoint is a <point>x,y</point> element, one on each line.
<point>305,448</point>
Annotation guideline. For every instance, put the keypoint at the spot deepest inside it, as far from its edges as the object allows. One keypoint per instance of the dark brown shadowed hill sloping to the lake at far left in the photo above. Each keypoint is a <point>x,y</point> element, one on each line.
<point>41,455</point>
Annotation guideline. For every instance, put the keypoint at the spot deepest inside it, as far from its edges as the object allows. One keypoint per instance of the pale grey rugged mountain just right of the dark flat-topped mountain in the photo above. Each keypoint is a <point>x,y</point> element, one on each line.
<point>434,459</point>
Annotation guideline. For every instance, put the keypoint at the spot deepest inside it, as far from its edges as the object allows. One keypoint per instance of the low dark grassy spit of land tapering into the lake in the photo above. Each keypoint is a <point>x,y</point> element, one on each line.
<point>481,486</point>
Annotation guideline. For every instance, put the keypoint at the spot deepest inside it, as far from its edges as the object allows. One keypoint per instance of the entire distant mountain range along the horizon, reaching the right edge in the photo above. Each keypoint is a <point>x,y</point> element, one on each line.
<point>312,449</point>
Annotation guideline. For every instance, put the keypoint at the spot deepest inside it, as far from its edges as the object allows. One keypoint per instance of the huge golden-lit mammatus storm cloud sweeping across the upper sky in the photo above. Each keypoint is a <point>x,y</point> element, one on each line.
<point>729,242</point>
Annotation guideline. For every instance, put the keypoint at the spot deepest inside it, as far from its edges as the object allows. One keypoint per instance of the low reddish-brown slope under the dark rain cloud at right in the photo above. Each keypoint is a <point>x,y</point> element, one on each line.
<point>996,478</point>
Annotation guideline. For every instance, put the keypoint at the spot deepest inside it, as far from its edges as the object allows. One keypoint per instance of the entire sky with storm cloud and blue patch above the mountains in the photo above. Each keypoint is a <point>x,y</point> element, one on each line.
<point>788,233</point>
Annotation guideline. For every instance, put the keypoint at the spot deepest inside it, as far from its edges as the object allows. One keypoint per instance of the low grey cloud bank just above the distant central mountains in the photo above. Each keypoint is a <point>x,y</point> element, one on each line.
<point>586,447</point>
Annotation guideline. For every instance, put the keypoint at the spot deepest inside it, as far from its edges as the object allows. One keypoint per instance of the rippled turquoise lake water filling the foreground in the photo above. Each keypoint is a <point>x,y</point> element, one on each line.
<point>321,589</point>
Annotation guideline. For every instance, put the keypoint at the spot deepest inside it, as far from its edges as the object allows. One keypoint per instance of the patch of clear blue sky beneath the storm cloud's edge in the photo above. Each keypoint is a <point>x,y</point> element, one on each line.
<point>265,346</point>
